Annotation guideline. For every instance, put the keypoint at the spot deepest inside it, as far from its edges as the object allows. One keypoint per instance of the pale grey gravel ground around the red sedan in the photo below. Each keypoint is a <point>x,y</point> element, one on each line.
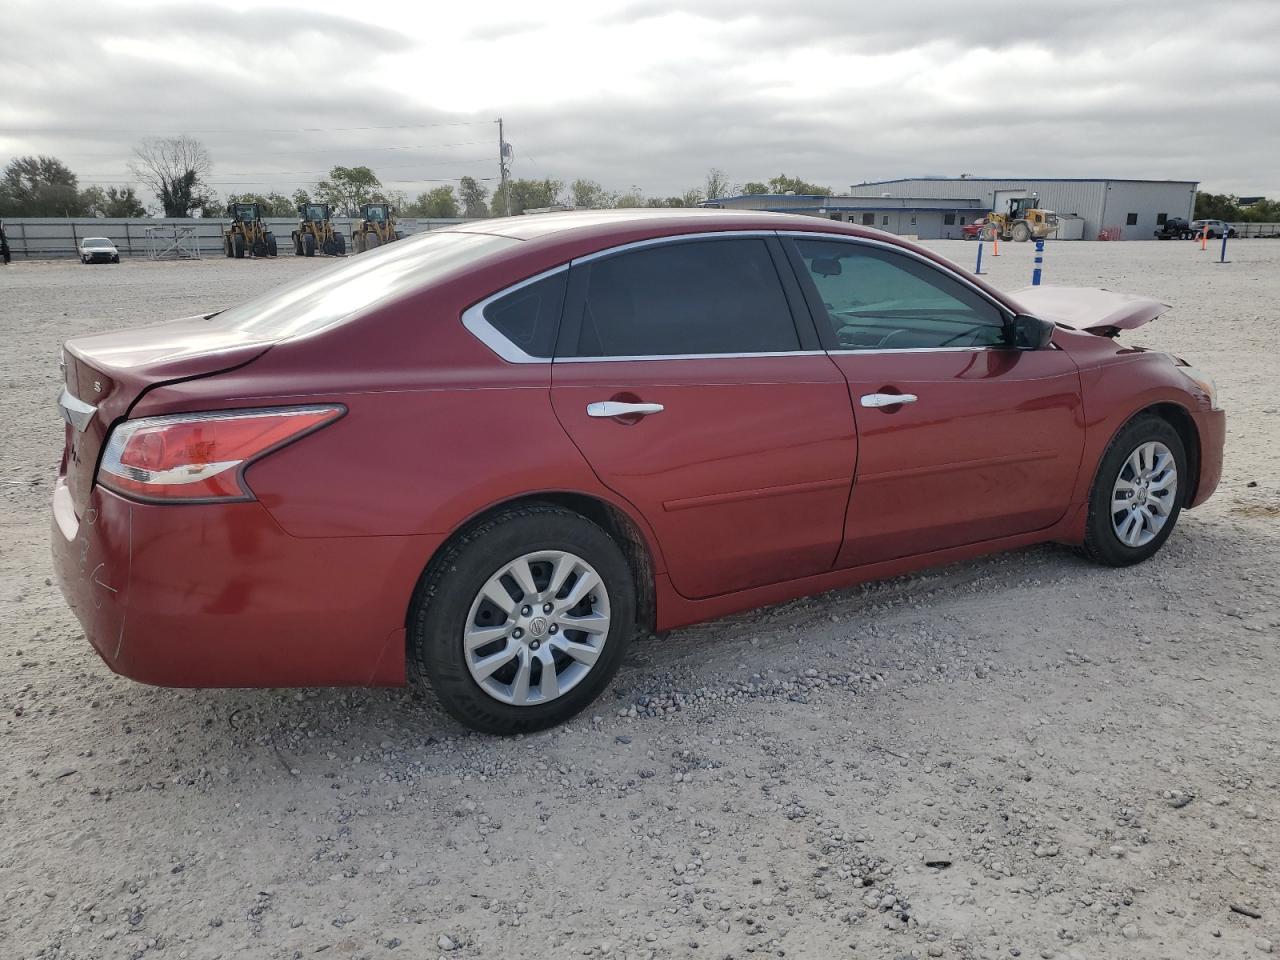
<point>1025,756</point>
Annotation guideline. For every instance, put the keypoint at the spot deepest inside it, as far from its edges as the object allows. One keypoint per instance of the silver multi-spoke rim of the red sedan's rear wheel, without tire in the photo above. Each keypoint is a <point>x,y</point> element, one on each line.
<point>537,628</point>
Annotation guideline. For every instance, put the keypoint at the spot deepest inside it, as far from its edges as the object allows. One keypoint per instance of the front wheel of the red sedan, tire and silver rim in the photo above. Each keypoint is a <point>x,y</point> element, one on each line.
<point>1137,493</point>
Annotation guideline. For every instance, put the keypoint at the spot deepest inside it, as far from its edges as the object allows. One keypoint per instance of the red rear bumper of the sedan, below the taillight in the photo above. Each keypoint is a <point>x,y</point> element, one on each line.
<point>221,596</point>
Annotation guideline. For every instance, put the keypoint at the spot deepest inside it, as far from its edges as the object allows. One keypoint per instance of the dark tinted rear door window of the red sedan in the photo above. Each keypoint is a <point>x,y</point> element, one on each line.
<point>683,299</point>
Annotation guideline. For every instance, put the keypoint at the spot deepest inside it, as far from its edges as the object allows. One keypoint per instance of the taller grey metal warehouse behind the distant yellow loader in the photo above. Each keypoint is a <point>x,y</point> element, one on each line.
<point>1133,209</point>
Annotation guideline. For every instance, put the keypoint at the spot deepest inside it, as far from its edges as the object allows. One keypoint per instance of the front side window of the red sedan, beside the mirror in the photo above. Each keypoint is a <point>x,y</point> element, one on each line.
<point>877,299</point>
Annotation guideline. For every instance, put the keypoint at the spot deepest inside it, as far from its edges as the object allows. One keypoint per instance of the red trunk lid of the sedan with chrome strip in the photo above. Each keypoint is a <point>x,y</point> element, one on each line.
<point>106,374</point>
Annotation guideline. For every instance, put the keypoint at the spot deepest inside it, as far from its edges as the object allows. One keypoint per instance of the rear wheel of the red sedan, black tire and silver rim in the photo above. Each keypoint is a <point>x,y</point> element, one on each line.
<point>524,620</point>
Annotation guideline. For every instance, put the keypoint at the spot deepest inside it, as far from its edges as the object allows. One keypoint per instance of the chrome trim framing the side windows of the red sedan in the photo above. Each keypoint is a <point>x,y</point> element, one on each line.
<point>479,327</point>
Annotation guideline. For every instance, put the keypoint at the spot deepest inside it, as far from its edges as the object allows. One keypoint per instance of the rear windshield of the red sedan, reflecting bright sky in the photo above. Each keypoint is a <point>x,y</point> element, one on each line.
<point>328,296</point>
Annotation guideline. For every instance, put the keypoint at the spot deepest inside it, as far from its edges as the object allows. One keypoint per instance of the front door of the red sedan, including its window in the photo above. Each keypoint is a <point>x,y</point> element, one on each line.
<point>962,437</point>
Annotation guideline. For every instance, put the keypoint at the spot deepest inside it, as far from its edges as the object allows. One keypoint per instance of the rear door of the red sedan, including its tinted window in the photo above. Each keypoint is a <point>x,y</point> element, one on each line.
<point>684,380</point>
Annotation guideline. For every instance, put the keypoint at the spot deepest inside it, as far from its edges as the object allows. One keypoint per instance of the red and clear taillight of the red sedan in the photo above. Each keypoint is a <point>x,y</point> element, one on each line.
<point>202,456</point>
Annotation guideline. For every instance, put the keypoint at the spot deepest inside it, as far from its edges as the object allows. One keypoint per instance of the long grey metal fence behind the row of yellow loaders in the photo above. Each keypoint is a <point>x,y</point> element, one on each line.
<point>54,239</point>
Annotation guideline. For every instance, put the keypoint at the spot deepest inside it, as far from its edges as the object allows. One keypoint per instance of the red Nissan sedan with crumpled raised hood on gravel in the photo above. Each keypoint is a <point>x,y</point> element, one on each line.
<point>490,455</point>
